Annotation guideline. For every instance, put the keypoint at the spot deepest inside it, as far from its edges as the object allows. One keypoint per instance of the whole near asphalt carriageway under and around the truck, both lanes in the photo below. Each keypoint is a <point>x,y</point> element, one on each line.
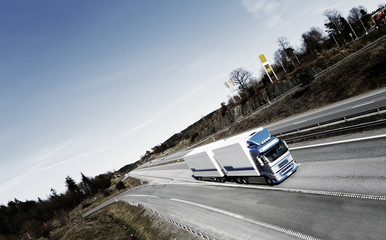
<point>305,205</point>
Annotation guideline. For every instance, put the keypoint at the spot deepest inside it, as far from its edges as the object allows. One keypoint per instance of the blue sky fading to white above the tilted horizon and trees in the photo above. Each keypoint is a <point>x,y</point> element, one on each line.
<point>89,86</point>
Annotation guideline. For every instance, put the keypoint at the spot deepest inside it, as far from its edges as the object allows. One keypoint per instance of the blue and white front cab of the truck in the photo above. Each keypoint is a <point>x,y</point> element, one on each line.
<point>271,156</point>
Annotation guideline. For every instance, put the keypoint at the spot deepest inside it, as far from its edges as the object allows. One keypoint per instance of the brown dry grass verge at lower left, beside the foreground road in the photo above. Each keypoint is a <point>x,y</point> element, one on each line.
<point>117,221</point>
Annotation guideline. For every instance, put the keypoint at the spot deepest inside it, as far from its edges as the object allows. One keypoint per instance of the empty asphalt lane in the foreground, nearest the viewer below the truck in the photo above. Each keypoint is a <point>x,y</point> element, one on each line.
<point>240,213</point>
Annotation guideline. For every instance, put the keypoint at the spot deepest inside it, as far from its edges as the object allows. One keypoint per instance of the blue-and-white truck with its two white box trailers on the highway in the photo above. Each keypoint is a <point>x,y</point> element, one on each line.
<point>243,158</point>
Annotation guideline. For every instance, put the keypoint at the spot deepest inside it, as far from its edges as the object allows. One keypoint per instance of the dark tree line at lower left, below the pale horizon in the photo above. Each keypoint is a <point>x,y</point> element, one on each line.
<point>30,217</point>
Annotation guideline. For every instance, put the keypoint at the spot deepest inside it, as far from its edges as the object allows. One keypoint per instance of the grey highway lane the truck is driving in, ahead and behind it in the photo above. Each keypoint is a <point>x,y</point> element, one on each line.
<point>352,167</point>
